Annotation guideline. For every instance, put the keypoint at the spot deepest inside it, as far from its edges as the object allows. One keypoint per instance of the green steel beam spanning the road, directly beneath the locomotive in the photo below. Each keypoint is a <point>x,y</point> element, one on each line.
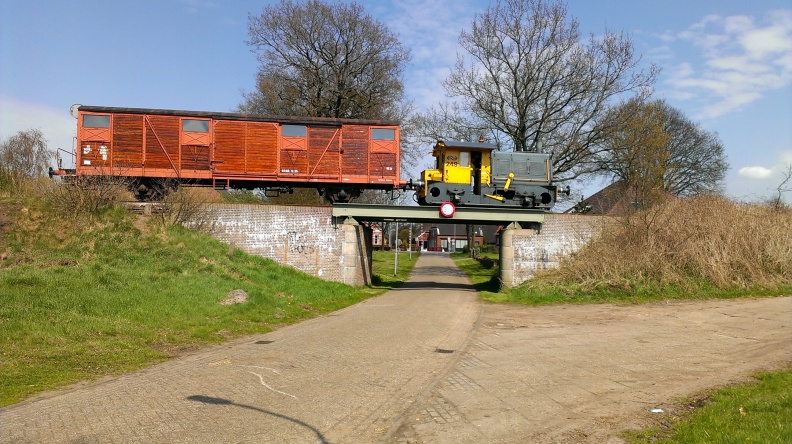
<point>464,215</point>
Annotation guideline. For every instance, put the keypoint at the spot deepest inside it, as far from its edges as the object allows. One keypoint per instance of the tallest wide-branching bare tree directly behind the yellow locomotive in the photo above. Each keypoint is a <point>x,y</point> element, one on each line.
<point>528,77</point>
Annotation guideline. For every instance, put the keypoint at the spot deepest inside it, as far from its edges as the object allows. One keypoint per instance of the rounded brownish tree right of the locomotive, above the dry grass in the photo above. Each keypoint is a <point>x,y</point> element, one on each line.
<point>653,145</point>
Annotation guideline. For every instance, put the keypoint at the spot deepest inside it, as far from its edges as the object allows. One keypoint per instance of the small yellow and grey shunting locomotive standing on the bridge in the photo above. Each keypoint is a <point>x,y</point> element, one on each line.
<point>477,174</point>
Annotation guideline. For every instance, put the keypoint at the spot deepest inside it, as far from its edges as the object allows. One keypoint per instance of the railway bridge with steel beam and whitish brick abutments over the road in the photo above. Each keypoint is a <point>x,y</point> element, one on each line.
<point>334,243</point>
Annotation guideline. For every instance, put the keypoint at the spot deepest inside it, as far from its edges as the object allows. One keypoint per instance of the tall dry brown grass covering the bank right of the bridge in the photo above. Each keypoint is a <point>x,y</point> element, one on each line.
<point>707,238</point>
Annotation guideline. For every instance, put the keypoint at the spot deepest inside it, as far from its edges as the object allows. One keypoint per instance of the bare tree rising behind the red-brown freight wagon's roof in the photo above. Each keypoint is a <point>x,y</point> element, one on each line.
<point>323,59</point>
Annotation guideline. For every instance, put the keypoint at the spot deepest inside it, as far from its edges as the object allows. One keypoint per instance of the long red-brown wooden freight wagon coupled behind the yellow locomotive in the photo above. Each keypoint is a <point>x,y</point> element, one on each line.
<point>227,150</point>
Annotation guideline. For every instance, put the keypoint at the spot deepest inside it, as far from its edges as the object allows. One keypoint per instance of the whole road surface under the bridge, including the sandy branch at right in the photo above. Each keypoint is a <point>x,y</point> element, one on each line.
<point>427,363</point>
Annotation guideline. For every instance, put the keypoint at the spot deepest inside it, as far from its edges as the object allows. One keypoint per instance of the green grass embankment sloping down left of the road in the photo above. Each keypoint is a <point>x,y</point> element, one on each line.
<point>85,299</point>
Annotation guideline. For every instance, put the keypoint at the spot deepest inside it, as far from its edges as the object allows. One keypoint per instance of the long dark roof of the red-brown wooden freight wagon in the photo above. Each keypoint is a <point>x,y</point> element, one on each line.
<point>237,116</point>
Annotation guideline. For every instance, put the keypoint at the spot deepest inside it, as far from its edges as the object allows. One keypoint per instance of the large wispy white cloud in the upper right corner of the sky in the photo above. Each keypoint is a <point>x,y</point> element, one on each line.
<point>742,61</point>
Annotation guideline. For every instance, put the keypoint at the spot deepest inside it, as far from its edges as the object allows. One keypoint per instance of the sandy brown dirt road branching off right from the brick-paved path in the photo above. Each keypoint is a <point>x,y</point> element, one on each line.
<point>585,373</point>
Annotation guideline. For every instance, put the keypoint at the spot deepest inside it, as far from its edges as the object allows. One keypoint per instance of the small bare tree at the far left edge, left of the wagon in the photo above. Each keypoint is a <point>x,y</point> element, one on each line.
<point>23,157</point>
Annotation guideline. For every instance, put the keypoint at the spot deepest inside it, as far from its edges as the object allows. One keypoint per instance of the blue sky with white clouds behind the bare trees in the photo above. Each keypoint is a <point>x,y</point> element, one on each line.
<point>726,64</point>
